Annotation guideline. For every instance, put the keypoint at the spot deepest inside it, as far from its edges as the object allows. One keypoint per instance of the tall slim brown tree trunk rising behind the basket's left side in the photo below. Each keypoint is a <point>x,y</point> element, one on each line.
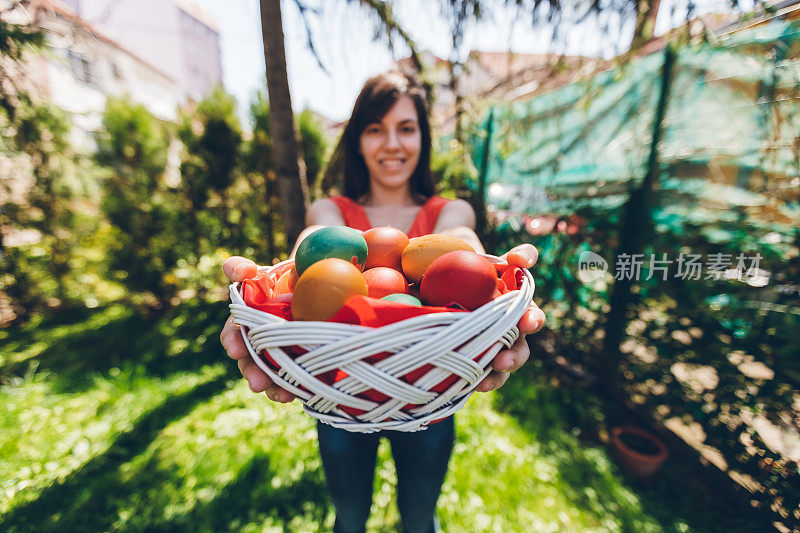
<point>290,188</point>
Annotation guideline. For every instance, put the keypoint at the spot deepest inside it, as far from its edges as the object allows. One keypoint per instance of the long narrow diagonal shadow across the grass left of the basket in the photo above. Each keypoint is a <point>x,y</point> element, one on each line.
<point>87,493</point>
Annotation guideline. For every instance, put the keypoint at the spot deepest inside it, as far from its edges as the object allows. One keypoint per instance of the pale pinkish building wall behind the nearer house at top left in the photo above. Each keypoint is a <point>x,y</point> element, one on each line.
<point>176,36</point>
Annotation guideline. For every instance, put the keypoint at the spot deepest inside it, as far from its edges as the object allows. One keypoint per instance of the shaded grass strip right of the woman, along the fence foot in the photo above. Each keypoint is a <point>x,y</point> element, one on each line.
<point>566,421</point>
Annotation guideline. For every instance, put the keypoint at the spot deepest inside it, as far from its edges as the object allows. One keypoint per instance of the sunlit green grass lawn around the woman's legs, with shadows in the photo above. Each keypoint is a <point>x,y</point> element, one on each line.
<point>114,422</point>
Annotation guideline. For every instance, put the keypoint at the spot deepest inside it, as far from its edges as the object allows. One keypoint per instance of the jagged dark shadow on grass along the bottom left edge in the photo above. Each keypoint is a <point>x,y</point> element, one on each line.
<point>144,503</point>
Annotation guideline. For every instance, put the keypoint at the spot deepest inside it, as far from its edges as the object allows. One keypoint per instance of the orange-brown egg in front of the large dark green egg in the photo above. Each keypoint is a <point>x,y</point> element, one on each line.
<point>324,287</point>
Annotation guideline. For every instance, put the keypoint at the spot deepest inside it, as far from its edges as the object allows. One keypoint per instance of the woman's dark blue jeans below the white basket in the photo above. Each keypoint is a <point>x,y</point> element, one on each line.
<point>420,459</point>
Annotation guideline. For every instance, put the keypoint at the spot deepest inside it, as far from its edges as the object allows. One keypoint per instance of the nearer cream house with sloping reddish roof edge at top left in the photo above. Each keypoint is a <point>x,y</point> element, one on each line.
<point>82,67</point>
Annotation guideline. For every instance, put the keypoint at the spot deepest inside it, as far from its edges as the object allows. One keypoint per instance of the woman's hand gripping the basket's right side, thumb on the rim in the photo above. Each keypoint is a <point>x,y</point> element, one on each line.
<point>507,361</point>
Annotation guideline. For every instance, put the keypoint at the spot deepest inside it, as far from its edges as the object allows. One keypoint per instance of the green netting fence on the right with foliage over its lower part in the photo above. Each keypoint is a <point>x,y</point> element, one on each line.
<point>714,355</point>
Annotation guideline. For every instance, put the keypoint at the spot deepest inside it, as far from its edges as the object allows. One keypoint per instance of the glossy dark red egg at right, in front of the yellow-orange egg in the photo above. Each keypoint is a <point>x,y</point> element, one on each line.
<point>460,277</point>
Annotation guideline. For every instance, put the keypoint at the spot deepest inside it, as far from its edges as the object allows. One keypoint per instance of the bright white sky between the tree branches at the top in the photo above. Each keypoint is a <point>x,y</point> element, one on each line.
<point>343,36</point>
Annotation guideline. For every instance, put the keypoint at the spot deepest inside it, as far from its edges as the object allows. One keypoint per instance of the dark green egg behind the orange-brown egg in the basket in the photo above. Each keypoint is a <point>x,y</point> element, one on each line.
<point>332,241</point>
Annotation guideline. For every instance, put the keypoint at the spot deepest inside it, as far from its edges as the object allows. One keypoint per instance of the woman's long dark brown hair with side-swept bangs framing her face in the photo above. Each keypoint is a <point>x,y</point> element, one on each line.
<point>376,98</point>
